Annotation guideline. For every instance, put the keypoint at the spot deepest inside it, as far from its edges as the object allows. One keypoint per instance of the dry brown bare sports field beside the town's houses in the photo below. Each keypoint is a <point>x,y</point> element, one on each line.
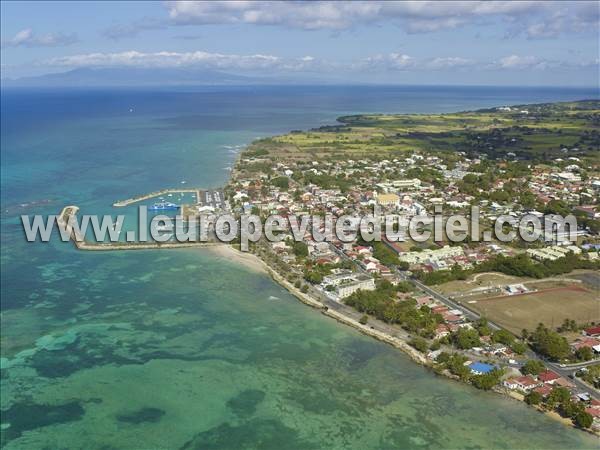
<point>549,306</point>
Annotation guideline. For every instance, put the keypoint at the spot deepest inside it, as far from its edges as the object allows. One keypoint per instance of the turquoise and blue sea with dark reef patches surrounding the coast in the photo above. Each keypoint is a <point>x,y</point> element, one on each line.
<point>182,348</point>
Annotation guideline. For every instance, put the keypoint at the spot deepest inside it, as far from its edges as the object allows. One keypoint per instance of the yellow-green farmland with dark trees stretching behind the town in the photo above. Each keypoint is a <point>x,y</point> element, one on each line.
<point>540,134</point>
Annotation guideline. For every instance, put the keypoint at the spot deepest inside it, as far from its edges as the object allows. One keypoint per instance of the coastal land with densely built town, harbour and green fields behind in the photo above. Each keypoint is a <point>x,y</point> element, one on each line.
<point>521,317</point>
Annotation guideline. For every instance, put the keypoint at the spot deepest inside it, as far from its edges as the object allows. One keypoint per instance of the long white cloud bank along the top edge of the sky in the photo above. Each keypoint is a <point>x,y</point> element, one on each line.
<point>413,16</point>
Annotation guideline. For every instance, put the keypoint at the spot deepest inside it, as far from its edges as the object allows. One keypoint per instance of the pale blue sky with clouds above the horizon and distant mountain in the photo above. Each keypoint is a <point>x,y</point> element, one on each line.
<point>422,42</point>
